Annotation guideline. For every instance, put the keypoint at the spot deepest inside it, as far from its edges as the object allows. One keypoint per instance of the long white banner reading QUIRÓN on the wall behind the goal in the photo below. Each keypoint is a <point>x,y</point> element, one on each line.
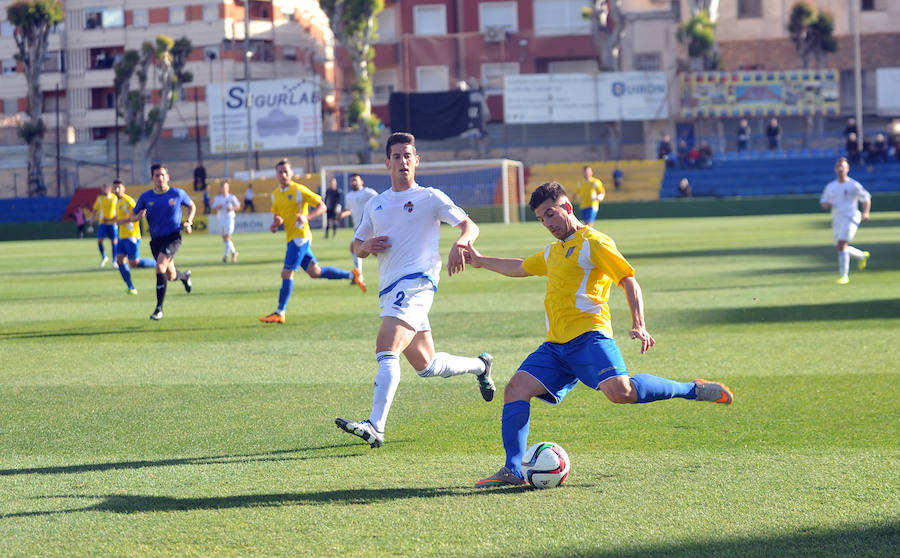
<point>609,96</point>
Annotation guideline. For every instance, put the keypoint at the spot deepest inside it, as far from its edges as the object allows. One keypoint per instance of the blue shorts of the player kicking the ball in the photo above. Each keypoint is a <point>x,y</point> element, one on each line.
<point>590,359</point>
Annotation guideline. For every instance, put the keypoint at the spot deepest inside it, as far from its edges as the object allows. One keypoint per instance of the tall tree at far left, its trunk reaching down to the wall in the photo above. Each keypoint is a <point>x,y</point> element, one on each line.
<point>33,20</point>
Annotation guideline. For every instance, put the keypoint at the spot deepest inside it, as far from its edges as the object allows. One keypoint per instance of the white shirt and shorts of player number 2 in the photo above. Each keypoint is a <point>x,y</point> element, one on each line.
<point>410,269</point>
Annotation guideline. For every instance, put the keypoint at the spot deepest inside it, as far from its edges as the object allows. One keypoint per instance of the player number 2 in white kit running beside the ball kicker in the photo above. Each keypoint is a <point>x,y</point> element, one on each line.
<point>401,226</point>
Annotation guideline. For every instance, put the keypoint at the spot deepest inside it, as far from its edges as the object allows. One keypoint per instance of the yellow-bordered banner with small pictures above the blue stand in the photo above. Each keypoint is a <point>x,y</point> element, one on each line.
<point>760,93</point>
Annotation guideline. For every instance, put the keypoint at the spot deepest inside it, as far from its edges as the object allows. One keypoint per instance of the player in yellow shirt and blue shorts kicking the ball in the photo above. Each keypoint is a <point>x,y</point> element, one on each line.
<point>581,268</point>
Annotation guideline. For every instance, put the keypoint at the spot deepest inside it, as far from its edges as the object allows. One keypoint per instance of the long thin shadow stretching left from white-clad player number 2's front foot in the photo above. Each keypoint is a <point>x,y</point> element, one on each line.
<point>278,455</point>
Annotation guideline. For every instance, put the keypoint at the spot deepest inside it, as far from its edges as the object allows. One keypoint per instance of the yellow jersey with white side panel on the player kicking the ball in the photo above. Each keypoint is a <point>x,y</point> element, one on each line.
<point>580,272</point>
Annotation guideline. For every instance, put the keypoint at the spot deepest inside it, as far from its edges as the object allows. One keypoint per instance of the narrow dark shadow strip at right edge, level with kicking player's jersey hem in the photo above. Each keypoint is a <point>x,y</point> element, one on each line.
<point>838,311</point>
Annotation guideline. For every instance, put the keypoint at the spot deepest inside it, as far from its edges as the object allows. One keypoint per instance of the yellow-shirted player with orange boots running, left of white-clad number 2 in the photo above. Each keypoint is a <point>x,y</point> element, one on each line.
<point>291,204</point>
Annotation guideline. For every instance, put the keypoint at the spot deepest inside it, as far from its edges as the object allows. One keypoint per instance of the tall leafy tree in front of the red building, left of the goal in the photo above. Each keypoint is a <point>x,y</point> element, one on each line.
<point>354,27</point>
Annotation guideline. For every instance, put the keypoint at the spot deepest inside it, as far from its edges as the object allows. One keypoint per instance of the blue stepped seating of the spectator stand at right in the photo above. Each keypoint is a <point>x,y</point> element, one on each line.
<point>793,172</point>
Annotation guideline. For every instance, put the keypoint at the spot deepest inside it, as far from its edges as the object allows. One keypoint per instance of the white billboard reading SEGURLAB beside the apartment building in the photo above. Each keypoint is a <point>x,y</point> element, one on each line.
<point>284,114</point>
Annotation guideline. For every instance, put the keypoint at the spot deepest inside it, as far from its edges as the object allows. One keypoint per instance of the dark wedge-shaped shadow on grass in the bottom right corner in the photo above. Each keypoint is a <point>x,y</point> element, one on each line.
<point>857,541</point>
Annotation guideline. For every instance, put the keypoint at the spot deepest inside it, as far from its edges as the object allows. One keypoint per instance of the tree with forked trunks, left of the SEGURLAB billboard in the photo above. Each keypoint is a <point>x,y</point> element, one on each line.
<point>143,120</point>
